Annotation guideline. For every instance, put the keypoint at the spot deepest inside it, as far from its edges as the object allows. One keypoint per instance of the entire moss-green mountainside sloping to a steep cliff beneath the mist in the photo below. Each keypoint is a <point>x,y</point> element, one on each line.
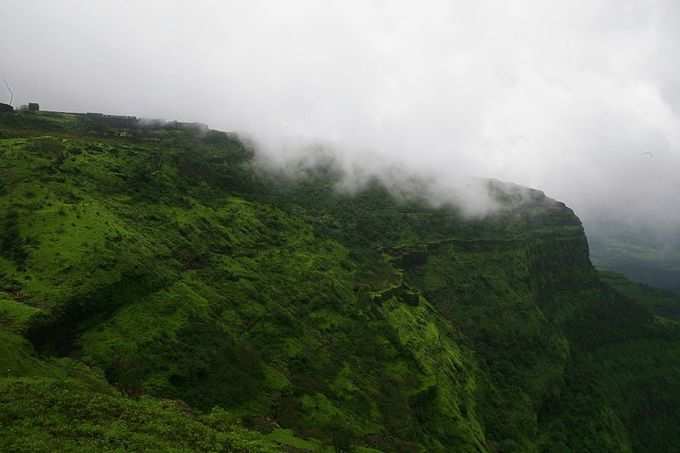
<point>161,276</point>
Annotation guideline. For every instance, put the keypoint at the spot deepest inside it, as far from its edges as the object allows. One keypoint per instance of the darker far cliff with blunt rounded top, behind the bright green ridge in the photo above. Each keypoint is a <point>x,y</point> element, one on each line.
<point>511,285</point>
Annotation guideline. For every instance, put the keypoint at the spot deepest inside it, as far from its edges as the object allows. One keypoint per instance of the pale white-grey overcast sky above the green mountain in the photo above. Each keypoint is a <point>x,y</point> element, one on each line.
<point>578,98</point>
